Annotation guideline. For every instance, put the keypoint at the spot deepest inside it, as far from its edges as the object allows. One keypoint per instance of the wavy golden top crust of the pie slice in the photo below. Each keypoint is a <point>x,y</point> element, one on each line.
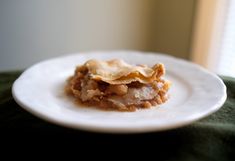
<point>118,72</point>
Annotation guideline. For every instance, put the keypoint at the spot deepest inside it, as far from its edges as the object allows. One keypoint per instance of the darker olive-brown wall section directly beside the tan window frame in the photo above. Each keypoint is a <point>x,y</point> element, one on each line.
<point>172,22</point>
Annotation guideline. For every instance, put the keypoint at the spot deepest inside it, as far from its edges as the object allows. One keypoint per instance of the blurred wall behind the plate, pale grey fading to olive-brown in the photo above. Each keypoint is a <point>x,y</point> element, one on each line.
<point>34,30</point>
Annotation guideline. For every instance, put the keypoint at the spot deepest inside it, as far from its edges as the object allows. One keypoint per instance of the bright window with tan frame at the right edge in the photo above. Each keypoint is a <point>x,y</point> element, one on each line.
<point>213,44</point>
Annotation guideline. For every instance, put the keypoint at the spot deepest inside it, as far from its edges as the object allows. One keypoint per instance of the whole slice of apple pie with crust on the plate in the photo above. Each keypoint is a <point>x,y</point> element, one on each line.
<point>116,85</point>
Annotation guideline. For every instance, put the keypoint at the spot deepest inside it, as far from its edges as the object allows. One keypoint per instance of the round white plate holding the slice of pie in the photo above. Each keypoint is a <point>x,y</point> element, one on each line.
<point>195,93</point>
